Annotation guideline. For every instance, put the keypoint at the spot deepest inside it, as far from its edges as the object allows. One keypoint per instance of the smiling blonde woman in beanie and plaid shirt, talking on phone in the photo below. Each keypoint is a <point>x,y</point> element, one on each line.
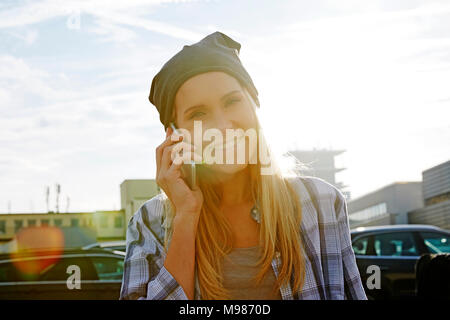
<point>241,232</point>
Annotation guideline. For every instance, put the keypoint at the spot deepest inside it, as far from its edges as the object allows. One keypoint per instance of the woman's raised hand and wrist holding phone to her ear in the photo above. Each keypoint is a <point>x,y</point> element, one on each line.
<point>186,202</point>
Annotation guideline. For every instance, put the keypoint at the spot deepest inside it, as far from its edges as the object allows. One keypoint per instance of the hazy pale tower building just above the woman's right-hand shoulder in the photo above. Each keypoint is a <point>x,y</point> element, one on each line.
<point>320,163</point>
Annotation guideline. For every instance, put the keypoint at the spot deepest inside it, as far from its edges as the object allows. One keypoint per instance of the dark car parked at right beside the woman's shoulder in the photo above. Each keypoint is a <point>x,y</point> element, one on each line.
<point>395,250</point>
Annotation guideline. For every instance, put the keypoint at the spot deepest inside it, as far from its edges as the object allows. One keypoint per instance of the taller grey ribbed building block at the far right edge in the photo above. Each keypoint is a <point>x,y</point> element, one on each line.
<point>436,197</point>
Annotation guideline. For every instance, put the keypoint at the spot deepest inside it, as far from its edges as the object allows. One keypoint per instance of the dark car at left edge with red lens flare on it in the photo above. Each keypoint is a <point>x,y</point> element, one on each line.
<point>44,274</point>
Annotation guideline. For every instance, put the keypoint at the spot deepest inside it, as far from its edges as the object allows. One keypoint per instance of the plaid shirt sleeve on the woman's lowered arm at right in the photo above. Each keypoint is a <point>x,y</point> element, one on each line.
<point>353,287</point>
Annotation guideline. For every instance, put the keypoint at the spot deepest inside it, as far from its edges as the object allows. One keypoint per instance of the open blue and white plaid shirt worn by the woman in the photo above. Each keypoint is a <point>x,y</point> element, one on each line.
<point>331,270</point>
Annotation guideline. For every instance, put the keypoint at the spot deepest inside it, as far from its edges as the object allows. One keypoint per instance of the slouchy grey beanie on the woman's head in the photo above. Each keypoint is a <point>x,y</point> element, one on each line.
<point>215,52</point>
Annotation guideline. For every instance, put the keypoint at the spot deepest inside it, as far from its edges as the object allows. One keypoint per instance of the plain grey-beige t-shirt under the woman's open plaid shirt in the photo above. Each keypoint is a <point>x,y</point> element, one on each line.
<point>239,270</point>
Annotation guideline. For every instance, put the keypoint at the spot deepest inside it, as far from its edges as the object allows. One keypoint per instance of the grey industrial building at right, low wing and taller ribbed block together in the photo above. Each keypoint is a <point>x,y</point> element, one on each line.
<point>425,202</point>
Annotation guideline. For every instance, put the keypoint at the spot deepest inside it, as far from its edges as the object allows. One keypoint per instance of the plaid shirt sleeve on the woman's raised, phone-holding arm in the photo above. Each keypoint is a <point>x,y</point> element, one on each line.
<point>144,276</point>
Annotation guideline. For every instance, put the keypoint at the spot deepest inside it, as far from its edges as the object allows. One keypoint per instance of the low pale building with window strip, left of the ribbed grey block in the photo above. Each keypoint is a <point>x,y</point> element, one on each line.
<point>386,206</point>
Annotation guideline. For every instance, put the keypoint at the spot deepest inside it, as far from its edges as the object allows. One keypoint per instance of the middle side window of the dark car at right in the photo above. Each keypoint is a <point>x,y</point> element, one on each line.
<point>395,244</point>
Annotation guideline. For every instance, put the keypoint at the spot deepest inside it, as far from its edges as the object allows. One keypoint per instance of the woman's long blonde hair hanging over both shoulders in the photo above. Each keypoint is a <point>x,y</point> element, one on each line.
<point>281,214</point>
